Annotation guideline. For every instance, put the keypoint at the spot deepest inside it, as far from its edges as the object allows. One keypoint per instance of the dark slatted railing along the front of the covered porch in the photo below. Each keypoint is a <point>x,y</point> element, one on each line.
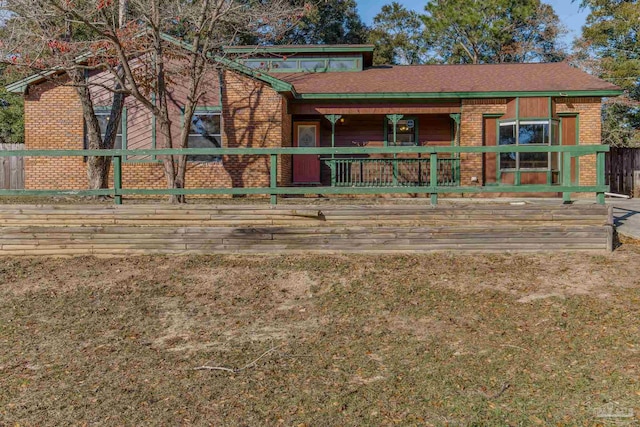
<point>392,172</point>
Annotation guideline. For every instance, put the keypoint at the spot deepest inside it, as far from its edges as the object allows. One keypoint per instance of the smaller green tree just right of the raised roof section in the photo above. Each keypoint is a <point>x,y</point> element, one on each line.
<point>397,35</point>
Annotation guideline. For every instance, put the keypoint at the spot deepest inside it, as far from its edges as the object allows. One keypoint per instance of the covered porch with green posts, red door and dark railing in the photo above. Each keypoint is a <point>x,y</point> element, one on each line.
<point>375,126</point>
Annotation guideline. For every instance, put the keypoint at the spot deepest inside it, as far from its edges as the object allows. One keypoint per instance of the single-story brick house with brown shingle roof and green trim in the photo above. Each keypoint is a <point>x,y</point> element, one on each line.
<point>307,96</point>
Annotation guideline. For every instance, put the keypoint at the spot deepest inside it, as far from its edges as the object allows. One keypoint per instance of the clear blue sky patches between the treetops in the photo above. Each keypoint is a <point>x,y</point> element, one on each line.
<point>569,12</point>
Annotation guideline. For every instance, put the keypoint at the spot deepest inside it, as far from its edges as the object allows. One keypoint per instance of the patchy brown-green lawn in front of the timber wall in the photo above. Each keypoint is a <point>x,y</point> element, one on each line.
<point>445,339</point>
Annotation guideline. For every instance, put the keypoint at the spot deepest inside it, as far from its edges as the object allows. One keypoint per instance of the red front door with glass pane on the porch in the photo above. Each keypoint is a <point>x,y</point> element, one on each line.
<point>306,167</point>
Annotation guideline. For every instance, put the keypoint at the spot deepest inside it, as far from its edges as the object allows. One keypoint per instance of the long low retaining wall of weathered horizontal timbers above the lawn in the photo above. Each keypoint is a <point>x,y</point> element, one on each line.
<point>203,229</point>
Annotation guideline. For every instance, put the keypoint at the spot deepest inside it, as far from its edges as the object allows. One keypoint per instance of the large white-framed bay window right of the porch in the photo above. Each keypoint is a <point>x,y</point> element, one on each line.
<point>527,132</point>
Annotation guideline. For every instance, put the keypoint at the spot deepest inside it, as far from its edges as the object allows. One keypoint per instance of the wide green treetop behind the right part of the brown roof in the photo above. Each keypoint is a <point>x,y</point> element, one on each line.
<point>492,31</point>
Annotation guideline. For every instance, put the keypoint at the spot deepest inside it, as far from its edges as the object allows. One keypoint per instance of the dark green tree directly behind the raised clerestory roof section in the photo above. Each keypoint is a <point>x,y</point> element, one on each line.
<point>329,22</point>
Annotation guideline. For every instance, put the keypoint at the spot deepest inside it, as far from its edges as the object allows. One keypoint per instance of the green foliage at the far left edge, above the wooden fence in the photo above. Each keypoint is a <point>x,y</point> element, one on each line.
<point>11,111</point>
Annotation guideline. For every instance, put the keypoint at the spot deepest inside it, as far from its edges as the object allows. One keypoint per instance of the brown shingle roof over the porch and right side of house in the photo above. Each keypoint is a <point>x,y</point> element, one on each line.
<point>539,77</point>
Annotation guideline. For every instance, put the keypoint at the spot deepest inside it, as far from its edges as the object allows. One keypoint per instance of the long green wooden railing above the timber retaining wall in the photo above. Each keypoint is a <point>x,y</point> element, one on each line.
<point>439,171</point>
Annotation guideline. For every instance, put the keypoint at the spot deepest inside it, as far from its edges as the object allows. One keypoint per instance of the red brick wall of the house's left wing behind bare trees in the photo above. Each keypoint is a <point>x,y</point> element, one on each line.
<point>253,115</point>
